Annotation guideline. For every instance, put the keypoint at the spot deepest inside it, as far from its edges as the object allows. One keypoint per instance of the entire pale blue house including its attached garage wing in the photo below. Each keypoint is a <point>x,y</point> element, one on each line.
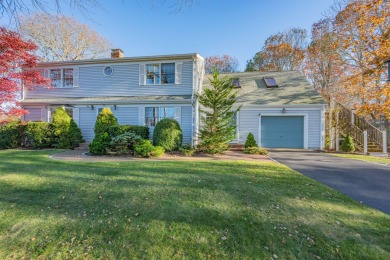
<point>280,108</point>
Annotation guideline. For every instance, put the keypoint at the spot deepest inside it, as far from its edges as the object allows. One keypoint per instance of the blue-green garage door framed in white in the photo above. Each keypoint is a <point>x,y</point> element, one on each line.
<point>282,131</point>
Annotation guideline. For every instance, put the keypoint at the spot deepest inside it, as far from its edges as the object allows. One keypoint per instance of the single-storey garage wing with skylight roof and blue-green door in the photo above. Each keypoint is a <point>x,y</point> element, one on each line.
<point>281,109</point>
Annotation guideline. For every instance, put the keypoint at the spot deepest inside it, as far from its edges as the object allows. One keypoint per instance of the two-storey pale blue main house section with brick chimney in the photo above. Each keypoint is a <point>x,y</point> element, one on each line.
<point>139,91</point>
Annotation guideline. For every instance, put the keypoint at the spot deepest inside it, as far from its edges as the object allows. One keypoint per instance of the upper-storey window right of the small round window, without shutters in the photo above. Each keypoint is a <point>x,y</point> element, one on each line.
<point>163,73</point>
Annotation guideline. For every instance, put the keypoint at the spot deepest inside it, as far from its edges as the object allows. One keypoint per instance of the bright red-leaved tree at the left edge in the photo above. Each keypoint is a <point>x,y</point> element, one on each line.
<point>17,62</point>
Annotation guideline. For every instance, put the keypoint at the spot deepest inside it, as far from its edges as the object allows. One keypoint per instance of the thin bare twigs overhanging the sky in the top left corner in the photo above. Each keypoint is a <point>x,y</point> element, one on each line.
<point>13,9</point>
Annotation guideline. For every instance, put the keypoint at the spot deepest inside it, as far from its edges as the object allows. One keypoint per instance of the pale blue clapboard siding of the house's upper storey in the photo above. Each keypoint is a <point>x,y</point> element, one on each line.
<point>123,82</point>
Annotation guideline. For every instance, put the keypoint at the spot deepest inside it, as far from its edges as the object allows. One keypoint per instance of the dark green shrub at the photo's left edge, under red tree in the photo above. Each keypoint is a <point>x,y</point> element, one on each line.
<point>11,135</point>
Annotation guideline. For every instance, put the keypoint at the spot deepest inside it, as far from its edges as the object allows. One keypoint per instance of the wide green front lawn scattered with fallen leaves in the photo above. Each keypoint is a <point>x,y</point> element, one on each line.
<point>177,210</point>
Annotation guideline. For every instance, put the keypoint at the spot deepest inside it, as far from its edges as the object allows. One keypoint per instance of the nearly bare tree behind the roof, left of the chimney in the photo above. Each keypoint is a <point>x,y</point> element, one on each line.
<point>63,38</point>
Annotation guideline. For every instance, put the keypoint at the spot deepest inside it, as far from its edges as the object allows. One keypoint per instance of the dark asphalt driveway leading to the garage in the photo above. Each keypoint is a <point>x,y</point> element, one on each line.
<point>366,182</point>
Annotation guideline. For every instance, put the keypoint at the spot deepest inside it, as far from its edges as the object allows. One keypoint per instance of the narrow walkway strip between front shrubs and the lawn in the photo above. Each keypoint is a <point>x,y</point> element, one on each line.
<point>81,155</point>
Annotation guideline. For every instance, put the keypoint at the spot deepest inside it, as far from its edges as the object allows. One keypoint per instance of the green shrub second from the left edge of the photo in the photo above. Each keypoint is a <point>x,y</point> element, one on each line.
<point>37,135</point>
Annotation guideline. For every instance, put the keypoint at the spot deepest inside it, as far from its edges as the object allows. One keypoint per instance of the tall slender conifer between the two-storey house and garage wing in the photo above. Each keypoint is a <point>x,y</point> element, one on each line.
<point>217,117</point>
